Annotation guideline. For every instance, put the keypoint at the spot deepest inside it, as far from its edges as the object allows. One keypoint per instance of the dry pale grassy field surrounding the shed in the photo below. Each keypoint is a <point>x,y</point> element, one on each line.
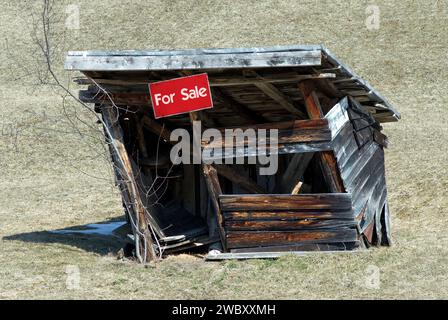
<point>53,176</point>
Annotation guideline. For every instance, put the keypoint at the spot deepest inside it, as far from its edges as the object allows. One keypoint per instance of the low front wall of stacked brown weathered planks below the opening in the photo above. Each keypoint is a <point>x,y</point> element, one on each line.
<point>286,222</point>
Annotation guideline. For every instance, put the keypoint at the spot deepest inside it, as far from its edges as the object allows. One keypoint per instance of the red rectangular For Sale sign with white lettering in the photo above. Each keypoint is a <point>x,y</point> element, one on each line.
<point>180,95</point>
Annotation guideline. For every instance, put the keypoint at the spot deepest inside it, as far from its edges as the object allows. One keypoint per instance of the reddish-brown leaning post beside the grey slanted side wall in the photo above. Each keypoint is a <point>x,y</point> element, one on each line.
<point>327,158</point>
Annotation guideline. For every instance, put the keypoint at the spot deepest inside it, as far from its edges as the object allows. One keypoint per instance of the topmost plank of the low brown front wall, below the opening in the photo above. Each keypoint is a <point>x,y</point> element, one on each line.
<point>333,201</point>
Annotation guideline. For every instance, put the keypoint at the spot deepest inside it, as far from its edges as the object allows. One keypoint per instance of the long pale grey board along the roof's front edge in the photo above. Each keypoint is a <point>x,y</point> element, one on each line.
<point>192,61</point>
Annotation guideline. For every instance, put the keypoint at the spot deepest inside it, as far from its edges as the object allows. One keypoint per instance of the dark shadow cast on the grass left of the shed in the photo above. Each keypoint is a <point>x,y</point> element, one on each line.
<point>101,237</point>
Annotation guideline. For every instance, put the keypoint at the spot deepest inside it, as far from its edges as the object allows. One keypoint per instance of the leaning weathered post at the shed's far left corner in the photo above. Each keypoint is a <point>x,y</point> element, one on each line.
<point>123,166</point>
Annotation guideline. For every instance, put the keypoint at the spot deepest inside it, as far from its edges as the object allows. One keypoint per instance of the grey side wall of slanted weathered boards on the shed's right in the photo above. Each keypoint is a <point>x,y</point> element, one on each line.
<point>360,156</point>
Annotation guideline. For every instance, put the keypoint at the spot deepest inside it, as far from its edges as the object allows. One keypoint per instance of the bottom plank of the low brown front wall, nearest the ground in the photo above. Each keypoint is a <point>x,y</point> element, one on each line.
<point>241,239</point>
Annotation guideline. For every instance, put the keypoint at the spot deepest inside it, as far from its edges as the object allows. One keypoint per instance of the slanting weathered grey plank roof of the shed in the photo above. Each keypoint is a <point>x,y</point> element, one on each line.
<point>316,59</point>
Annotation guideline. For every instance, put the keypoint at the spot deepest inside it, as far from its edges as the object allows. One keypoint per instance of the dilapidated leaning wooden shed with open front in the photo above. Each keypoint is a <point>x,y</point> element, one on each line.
<point>329,192</point>
